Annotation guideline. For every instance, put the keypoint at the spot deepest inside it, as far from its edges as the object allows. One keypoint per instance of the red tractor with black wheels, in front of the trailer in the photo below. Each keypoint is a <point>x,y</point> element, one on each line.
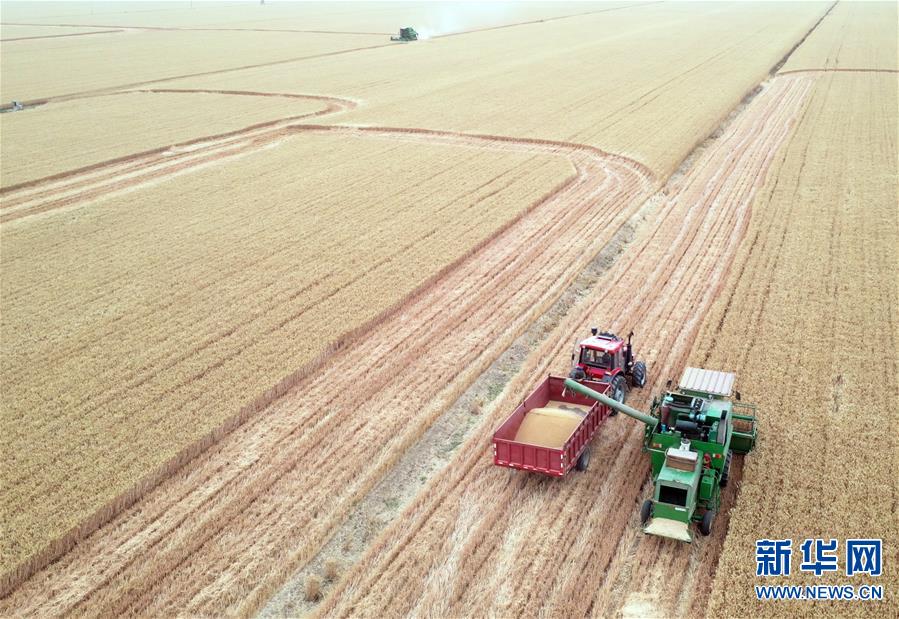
<point>606,357</point>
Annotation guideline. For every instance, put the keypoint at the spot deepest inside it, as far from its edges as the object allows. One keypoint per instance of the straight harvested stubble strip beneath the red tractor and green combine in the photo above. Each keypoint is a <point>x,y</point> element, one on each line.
<point>481,540</point>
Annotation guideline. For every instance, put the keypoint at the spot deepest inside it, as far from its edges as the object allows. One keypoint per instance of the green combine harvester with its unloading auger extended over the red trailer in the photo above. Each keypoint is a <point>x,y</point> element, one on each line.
<point>691,435</point>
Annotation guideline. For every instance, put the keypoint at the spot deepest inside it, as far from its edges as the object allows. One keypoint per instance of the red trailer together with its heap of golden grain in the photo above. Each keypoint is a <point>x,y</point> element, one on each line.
<point>551,429</point>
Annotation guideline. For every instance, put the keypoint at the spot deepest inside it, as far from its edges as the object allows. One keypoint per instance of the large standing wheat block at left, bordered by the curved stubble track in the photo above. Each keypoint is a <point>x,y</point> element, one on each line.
<point>156,320</point>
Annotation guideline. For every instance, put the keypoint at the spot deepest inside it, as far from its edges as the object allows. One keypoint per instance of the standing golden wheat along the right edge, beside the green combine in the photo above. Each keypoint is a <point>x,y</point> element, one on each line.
<point>810,324</point>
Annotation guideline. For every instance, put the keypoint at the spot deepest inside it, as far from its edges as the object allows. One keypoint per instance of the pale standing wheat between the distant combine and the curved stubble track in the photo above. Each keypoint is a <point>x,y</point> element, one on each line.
<point>649,82</point>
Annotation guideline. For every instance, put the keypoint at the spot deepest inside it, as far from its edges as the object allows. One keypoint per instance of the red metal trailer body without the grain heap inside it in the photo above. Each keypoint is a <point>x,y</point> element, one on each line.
<point>574,452</point>
